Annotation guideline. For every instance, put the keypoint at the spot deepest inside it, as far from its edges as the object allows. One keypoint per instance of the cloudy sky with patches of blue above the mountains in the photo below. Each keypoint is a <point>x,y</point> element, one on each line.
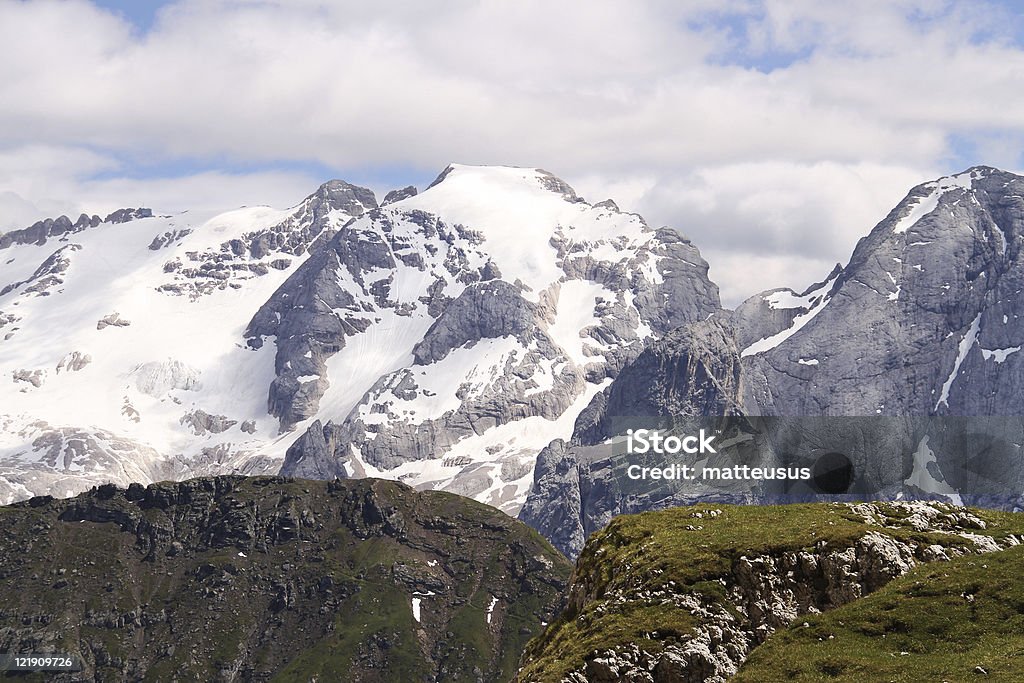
<point>775,134</point>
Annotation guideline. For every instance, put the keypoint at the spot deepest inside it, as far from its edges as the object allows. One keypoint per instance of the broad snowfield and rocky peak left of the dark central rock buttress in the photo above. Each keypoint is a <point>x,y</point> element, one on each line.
<point>122,347</point>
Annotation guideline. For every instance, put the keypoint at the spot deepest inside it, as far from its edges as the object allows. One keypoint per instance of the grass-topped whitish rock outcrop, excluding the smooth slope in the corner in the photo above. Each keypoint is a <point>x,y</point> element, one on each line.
<point>728,600</point>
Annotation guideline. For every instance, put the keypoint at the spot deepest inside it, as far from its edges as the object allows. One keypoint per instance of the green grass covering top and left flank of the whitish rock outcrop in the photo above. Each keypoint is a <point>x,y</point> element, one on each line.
<point>626,579</point>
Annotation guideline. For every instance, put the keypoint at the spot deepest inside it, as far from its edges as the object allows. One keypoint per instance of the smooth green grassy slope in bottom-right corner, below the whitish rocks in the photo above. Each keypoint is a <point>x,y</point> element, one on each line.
<point>958,621</point>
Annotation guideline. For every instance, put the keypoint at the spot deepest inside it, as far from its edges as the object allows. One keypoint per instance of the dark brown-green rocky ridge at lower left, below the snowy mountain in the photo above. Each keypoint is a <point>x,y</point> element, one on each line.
<point>235,579</point>
